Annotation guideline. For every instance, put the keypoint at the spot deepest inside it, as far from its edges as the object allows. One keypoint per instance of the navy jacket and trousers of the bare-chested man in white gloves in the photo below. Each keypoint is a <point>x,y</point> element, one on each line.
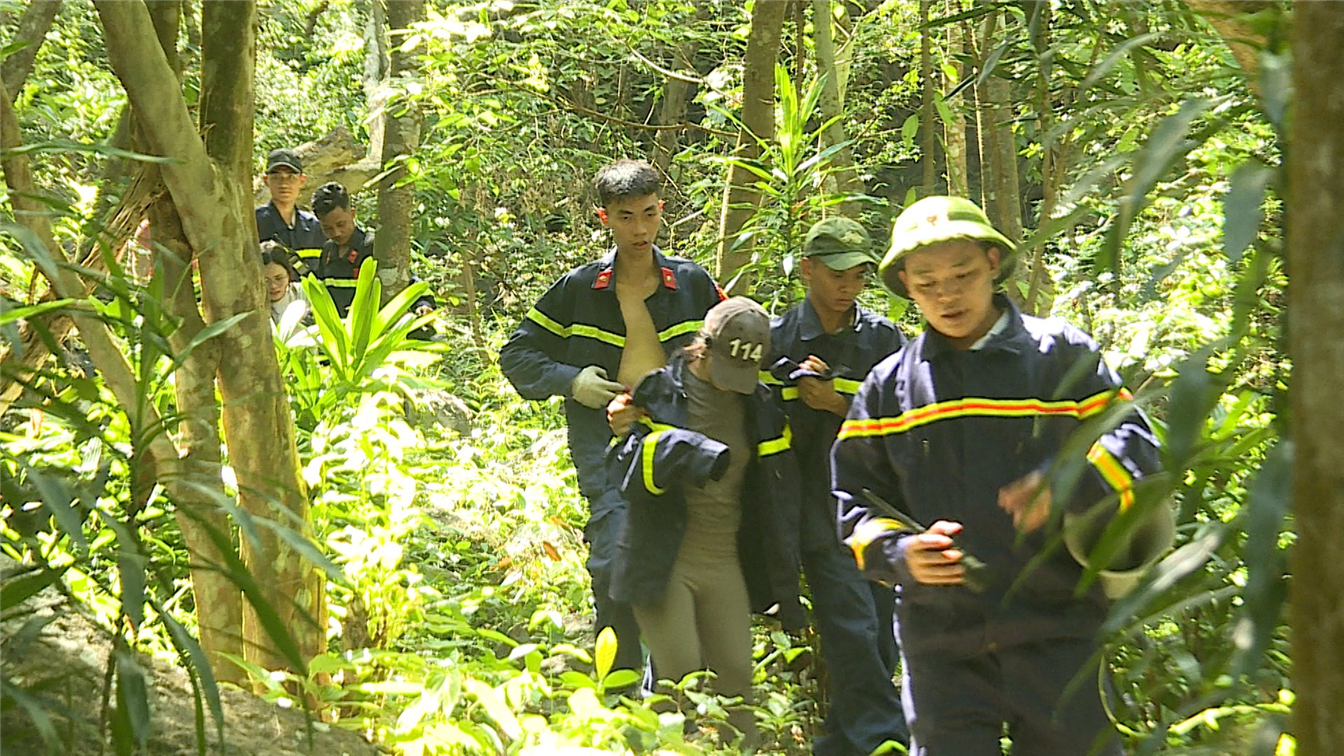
<point>579,324</point>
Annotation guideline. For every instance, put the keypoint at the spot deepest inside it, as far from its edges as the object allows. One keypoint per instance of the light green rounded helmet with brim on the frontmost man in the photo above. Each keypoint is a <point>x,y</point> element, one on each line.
<point>936,220</point>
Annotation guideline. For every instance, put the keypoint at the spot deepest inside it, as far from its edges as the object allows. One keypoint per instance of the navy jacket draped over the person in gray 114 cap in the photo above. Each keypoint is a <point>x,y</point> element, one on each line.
<point>659,458</point>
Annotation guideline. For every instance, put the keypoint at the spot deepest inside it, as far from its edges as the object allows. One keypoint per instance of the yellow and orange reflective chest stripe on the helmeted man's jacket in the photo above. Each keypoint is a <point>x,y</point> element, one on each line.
<point>978,407</point>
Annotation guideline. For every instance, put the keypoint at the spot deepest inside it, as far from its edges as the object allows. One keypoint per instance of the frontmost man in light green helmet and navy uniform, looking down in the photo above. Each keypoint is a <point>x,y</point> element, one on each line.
<point>962,431</point>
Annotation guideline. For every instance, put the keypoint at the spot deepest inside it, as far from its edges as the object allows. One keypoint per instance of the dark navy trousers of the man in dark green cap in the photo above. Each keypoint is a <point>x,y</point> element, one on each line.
<point>861,654</point>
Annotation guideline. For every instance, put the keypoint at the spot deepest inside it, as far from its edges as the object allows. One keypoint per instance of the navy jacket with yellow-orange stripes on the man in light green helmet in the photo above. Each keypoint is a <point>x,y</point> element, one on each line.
<point>939,431</point>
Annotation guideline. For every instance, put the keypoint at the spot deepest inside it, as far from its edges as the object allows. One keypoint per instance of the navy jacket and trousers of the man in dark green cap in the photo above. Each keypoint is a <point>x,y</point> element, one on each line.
<point>853,614</point>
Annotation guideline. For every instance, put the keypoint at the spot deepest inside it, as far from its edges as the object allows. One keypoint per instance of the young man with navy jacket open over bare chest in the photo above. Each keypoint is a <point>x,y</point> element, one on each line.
<point>616,318</point>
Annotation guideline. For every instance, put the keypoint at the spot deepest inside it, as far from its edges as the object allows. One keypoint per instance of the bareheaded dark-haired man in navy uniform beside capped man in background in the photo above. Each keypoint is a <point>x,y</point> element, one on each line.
<point>346,250</point>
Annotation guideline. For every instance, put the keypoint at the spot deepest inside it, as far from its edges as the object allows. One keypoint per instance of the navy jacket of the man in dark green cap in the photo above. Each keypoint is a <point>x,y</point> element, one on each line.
<point>851,354</point>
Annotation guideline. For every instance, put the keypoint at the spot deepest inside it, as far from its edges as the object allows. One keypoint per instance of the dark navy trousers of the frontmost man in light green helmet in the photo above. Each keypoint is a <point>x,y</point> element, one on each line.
<point>958,707</point>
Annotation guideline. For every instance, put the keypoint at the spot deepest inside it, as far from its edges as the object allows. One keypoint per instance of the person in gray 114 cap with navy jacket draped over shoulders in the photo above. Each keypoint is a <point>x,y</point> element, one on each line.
<point>713,525</point>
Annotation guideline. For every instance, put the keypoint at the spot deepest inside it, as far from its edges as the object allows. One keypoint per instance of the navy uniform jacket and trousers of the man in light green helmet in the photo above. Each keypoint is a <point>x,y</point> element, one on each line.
<point>937,432</point>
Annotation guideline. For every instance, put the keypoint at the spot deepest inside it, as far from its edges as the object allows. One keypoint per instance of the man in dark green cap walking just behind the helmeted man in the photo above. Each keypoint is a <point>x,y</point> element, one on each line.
<point>821,352</point>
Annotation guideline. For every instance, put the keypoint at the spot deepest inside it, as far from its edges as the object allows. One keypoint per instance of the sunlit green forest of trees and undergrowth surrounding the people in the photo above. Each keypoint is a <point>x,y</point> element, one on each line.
<point>376,528</point>
